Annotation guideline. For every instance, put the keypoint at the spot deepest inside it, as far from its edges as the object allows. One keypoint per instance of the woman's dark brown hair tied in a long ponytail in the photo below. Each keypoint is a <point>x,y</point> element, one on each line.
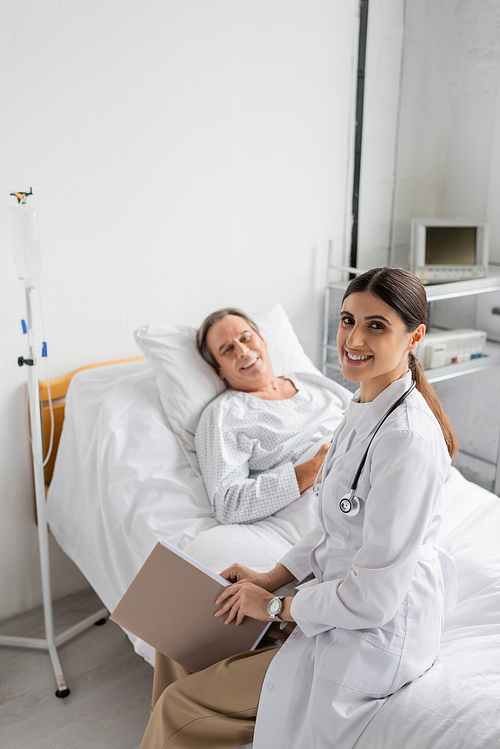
<point>403,291</point>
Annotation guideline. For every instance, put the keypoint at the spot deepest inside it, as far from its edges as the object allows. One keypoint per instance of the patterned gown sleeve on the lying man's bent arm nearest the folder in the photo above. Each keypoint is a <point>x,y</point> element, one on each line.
<point>236,496</point>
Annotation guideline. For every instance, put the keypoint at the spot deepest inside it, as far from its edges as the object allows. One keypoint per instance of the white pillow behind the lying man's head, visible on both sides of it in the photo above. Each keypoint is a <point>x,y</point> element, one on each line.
<point>186,382</point>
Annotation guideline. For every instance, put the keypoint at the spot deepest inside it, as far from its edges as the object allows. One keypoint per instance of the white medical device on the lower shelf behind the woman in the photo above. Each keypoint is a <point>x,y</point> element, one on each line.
<point>450,347</point>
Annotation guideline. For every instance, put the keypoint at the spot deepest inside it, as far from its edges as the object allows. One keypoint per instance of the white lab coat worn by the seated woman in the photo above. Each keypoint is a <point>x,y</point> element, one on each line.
<point>369,621</point>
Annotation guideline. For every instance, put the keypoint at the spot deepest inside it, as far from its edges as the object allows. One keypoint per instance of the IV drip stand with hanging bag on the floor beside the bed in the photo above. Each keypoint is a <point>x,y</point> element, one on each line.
<point>27,259</point>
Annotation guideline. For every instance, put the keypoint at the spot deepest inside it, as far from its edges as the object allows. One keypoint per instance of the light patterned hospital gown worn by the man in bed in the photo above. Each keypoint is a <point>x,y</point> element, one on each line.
<point>247,446</point>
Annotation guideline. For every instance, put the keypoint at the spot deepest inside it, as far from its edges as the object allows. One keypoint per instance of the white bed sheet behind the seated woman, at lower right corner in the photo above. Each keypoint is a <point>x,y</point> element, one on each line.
<point>455,704</point>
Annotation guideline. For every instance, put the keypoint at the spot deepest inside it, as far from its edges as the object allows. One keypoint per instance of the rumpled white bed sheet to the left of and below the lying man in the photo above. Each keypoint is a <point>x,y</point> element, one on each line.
<point>121,483</point>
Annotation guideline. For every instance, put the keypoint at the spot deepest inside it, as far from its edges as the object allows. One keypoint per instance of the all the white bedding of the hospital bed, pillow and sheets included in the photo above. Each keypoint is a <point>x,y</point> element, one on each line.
<point>126,476</point>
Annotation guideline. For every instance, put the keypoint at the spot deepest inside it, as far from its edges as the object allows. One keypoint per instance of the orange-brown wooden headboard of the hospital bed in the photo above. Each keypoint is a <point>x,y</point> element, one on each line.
<point>58,390</point>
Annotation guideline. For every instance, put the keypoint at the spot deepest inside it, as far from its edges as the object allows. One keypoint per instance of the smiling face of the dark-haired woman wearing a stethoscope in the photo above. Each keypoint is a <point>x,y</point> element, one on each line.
<point>373,343</point>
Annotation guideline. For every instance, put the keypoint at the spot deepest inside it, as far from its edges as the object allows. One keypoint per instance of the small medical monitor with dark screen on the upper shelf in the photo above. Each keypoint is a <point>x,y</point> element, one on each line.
<point>444,250</point>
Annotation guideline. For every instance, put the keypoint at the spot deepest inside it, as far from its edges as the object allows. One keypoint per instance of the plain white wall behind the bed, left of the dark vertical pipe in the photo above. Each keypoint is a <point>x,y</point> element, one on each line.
<point>189,155</point>
